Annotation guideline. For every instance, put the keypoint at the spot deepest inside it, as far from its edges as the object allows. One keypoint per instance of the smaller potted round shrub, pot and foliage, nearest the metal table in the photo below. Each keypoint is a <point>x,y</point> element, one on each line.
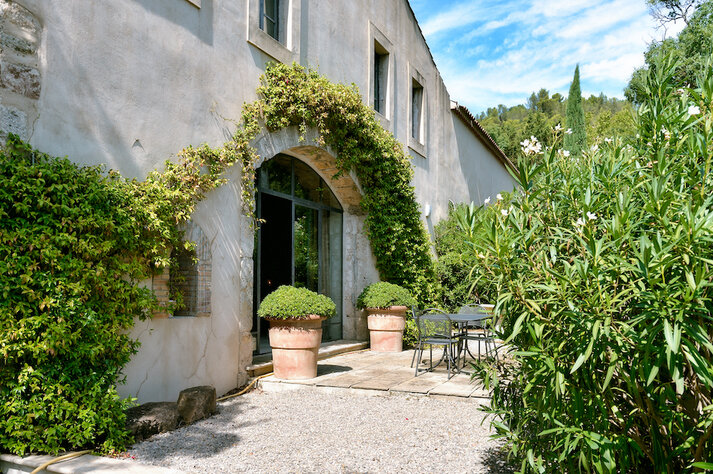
<point>386,305</point>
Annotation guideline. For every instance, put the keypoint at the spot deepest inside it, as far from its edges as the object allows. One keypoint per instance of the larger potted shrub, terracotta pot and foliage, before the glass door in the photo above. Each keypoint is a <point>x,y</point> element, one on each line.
<point>295,316</point>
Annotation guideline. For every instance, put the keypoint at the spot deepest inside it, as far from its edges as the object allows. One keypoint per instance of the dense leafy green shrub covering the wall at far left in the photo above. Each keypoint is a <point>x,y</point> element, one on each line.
<point>69,294</point>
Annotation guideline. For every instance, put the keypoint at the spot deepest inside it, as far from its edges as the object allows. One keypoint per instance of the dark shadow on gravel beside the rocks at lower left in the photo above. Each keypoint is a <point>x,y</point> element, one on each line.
<point>202,439</point>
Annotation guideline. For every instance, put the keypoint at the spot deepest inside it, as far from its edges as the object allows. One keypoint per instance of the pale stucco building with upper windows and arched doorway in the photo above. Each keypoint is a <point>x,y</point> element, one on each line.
<point>129,83</point>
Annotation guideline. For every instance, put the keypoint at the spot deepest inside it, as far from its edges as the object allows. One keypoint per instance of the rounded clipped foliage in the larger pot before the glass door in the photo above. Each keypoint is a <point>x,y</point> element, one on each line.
<point>288,302</point>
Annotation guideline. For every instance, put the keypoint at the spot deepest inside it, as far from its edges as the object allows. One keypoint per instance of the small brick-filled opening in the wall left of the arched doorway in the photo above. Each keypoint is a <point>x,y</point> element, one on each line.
<point>192,278</point>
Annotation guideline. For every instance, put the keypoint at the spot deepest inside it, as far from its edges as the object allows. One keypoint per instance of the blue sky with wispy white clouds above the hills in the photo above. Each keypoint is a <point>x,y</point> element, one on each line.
<point>494,52</point>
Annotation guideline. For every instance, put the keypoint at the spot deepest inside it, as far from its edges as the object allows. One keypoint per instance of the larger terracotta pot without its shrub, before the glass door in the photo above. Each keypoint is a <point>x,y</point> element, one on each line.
<point>295,346</point>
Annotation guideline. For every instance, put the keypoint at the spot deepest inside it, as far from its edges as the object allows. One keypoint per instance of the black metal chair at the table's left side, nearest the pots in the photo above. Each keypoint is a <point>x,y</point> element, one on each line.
<point>437,330</point>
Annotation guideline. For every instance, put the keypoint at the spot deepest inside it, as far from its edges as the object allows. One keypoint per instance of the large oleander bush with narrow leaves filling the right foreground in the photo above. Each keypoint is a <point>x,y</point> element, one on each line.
<point>604,269</point>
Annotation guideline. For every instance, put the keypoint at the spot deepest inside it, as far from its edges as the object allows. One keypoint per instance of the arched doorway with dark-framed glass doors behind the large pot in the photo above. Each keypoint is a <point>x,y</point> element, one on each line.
<point>299,241</point>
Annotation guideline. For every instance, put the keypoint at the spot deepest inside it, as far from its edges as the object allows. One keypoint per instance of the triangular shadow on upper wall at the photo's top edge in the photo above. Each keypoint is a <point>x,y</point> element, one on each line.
<point>198,21</point>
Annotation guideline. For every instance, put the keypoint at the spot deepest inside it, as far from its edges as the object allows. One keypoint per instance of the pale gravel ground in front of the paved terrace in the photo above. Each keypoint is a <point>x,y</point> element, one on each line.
<point>312,430</point>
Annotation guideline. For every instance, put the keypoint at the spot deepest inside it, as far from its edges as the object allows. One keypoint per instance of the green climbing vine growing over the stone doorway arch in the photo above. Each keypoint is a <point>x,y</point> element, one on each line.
<point>295,96</point>
